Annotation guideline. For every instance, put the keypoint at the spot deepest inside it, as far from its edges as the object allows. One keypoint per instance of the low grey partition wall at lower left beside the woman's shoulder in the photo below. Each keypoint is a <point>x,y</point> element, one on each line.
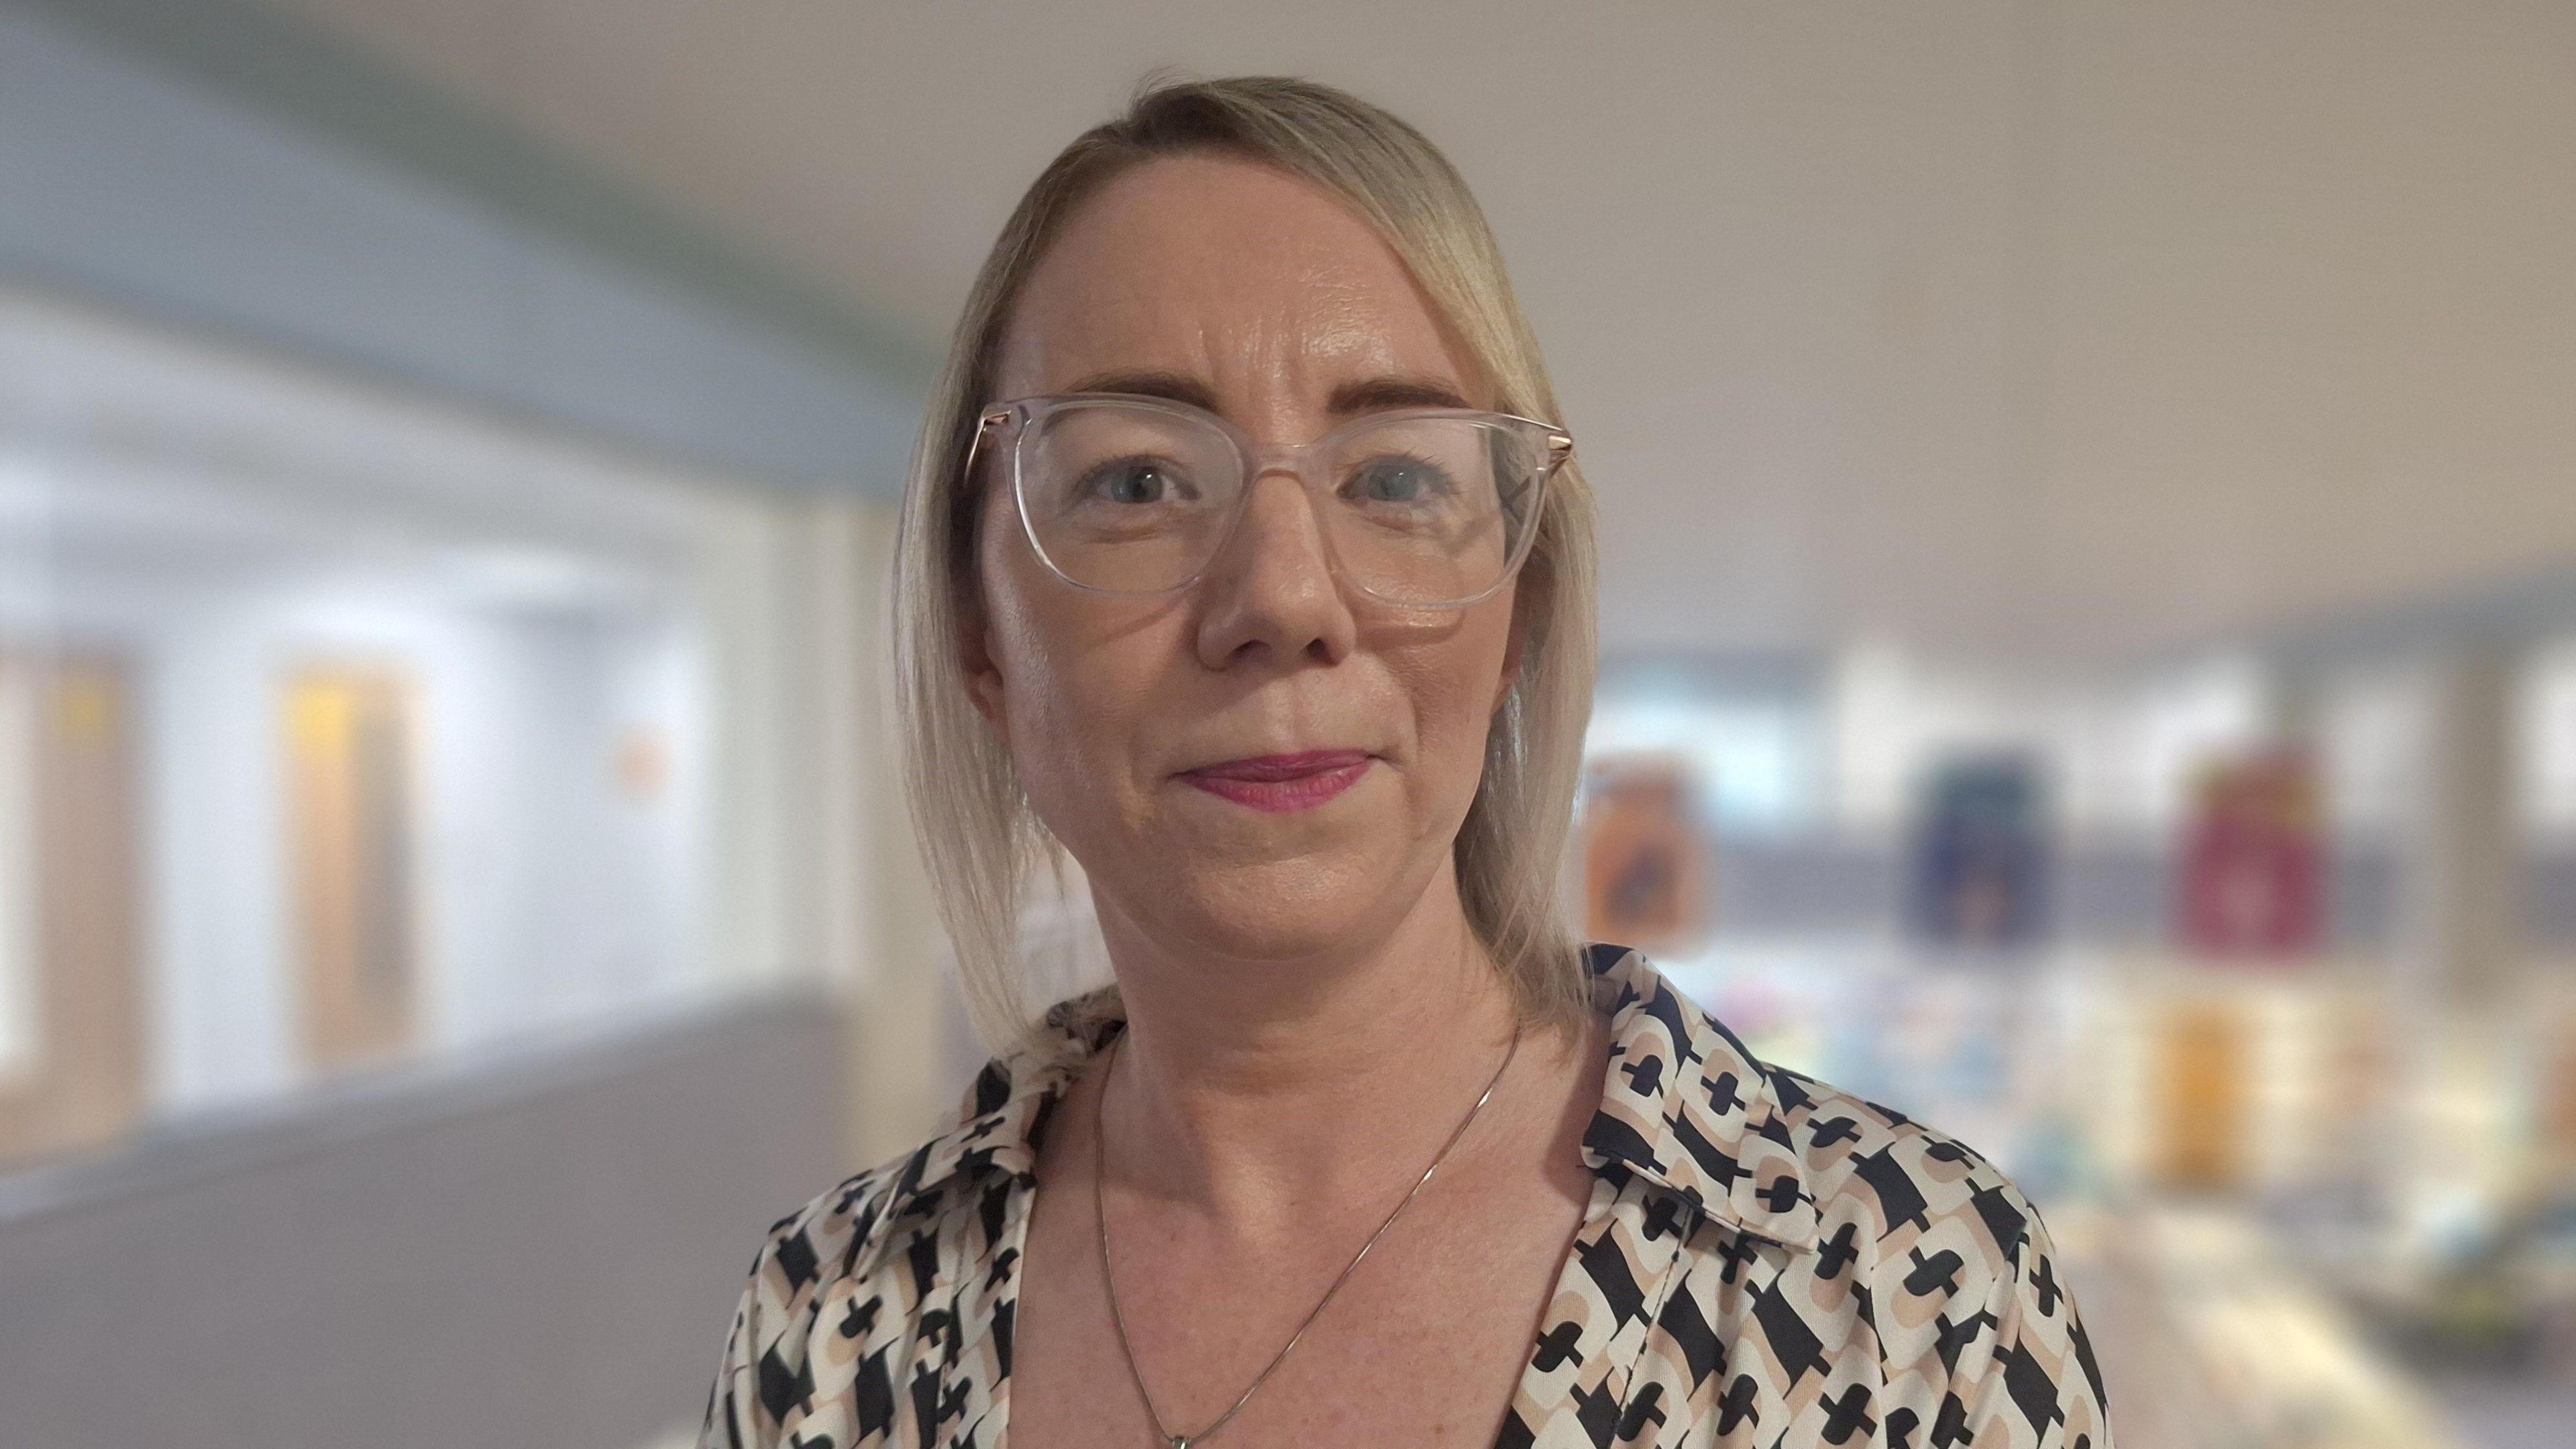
<point>527,1254</point>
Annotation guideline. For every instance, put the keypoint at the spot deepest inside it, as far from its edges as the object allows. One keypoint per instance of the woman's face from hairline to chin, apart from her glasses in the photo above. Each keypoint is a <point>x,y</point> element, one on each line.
<point>1264,764</point>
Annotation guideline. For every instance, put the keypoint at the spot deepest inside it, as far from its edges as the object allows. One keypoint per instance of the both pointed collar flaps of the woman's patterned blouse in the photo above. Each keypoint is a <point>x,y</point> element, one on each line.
<point>1686,1107</point>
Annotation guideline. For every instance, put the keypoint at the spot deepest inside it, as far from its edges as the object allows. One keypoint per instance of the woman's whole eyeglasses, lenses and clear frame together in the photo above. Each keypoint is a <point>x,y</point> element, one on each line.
<point>1137,496</point>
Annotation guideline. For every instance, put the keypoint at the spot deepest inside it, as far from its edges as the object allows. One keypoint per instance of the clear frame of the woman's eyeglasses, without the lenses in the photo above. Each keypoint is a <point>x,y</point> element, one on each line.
<point>1024,416</point>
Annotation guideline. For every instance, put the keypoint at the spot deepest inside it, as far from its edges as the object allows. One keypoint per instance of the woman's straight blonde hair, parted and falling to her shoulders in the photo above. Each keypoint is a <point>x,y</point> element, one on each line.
<point>978,831</point>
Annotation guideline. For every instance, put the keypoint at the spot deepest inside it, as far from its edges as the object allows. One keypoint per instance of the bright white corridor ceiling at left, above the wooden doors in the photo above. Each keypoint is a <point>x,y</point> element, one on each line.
<point>285,476</point>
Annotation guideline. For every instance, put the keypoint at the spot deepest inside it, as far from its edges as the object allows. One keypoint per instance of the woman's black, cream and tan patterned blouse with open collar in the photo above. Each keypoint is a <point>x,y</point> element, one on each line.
<point>1766,1262</point>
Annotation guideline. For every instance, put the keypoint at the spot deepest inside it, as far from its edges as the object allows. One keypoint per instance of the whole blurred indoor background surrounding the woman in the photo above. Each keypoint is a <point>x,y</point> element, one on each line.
<point>2090,651</point>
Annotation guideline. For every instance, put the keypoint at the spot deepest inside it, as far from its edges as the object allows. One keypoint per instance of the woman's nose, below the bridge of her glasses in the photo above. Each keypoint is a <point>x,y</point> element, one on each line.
<point>1271,592</point>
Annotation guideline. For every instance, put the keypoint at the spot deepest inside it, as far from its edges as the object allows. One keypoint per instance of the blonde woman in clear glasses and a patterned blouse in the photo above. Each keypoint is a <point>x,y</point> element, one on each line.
<point>1245,530</point>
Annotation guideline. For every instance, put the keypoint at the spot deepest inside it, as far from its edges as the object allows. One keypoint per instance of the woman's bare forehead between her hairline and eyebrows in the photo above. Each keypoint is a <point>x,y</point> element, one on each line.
<point>1233,272</point>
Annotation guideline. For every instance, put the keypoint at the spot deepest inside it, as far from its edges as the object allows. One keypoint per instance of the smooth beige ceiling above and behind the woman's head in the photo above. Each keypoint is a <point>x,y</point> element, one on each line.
<point>1985,326</point>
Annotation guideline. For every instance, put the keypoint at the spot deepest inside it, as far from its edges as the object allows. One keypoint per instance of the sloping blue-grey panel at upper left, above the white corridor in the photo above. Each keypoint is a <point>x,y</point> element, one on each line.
<point>148,190</point>
